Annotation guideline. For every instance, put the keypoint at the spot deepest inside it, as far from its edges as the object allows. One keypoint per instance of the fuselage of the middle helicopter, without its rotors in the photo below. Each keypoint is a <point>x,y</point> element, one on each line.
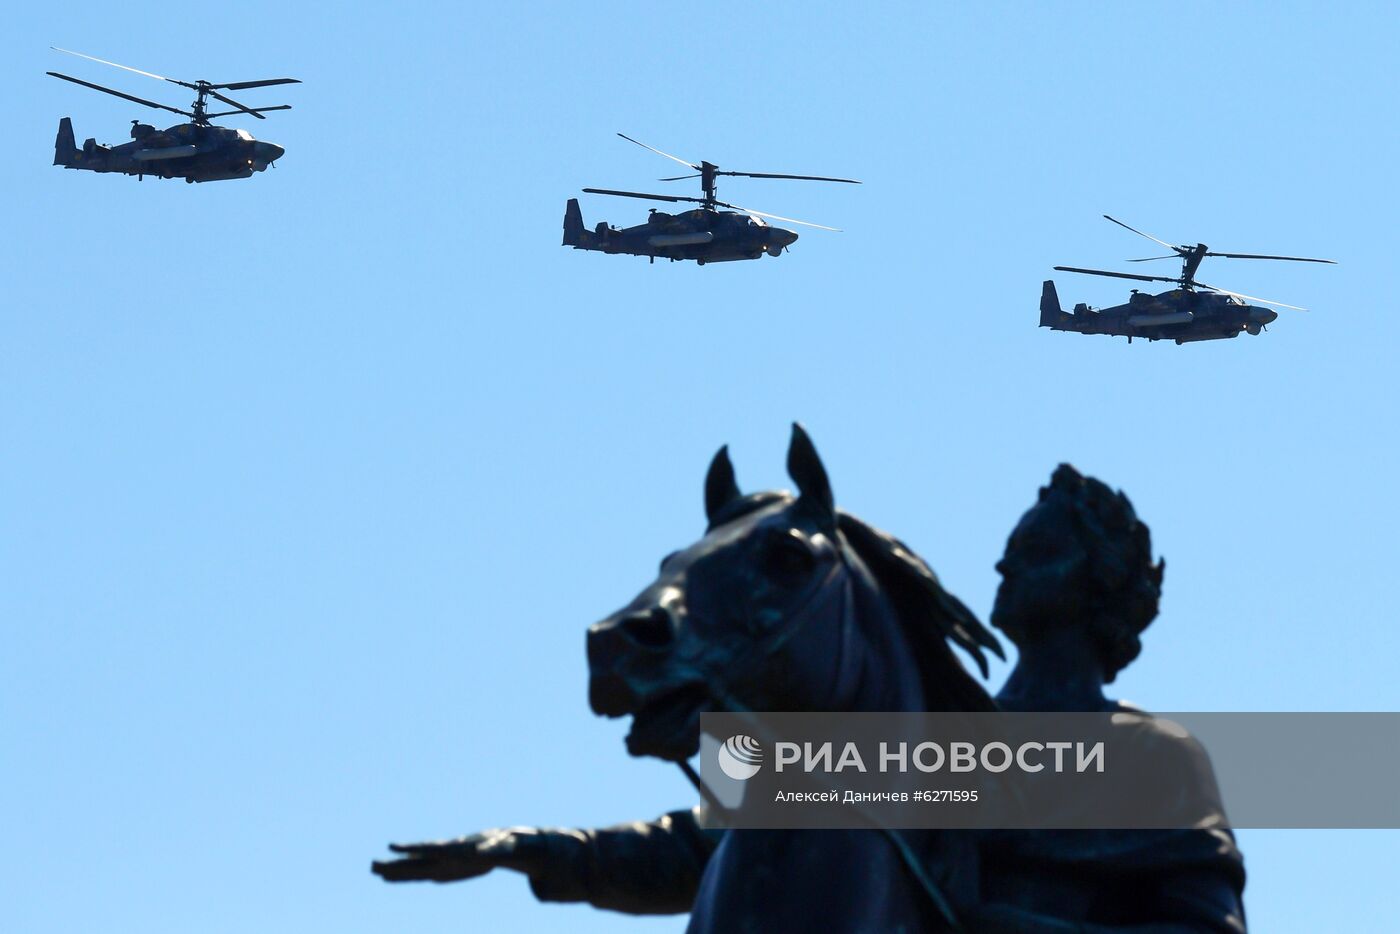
<point>703,236</point>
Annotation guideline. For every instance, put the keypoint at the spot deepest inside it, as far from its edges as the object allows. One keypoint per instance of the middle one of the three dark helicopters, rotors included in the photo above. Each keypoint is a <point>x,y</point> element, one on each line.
<point>703,235</point>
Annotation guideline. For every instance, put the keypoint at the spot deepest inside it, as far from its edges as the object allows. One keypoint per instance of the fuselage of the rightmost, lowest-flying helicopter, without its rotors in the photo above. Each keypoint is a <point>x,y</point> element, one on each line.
<point>1184,316</point>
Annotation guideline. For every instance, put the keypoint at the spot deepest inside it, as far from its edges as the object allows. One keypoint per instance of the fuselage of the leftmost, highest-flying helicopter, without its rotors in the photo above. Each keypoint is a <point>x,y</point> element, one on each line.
<point>187,151</point>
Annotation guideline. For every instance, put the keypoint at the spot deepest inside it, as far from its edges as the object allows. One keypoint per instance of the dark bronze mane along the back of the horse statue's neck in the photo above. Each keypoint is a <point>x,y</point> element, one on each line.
<point>930,615</point>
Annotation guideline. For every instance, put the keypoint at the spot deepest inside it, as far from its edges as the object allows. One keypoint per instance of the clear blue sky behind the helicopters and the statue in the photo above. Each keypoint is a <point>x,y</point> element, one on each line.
<point>311,484</point>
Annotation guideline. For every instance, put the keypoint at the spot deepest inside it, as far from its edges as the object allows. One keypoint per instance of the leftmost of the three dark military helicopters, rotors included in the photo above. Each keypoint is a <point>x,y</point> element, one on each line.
<point>195,152</point>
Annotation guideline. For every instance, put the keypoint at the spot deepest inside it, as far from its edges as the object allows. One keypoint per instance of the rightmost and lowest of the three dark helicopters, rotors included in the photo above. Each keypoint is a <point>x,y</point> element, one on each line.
<point>1182,316</point>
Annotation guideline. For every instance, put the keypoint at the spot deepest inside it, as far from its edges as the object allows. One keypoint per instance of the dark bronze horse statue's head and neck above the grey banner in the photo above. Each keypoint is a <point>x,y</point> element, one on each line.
<point>786,604</point>
